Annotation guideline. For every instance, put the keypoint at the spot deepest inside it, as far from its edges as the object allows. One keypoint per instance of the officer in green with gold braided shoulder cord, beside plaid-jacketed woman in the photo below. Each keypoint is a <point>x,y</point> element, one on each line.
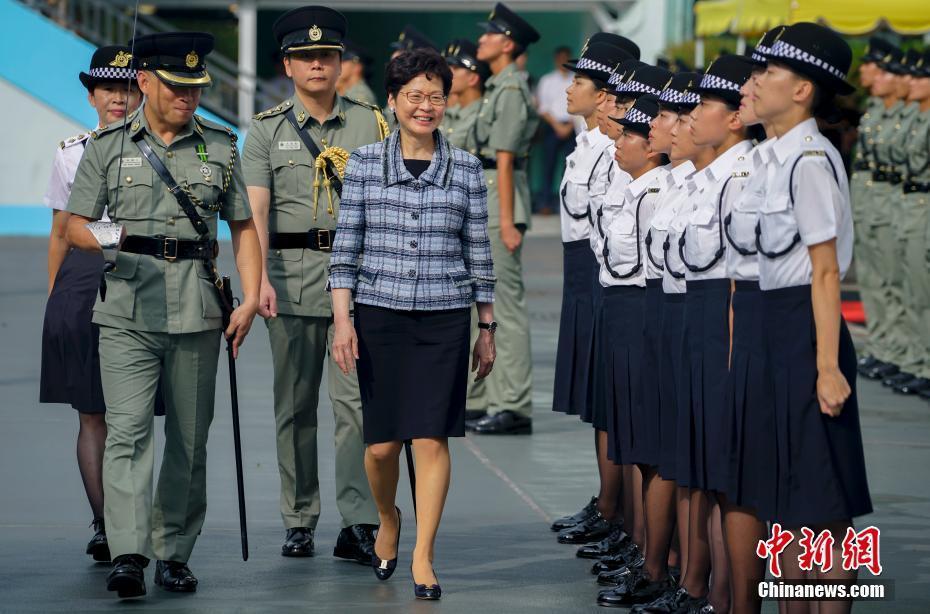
<point>294,196</point>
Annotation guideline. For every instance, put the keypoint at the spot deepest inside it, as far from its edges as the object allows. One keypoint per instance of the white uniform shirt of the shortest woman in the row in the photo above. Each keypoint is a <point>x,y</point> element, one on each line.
<point>624,250</point>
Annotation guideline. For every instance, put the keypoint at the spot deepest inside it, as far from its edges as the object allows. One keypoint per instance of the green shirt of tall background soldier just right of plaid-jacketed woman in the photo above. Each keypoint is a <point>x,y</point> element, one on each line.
<point>507,121</point>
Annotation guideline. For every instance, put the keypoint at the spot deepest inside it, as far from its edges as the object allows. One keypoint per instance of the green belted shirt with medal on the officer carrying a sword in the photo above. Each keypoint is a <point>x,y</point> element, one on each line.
<point>144,293</point>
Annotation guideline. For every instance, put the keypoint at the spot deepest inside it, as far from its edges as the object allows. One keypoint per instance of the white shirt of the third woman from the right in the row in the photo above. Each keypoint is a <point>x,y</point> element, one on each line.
<point>704,243</point>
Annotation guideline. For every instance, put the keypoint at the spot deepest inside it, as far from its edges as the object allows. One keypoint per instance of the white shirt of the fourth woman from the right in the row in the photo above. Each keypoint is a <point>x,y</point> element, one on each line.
<point>671,200</point>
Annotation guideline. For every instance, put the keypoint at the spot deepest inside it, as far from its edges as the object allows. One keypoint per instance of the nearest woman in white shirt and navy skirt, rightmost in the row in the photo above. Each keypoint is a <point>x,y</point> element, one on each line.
<point>804,238</point>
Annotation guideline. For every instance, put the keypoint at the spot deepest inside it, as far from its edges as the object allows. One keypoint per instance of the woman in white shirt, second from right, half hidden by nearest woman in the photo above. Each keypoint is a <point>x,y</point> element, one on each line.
<point>749,420</point>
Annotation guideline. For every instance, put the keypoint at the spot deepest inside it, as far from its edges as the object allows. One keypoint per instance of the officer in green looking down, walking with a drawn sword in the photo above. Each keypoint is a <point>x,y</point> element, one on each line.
<point>159,311</point>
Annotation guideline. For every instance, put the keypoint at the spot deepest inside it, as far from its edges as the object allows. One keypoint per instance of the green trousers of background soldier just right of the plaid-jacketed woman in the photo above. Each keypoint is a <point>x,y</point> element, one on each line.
<point>510,384</point>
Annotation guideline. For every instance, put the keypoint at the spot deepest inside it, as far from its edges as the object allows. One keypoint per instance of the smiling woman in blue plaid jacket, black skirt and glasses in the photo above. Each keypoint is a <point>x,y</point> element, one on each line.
<point>412,245</point>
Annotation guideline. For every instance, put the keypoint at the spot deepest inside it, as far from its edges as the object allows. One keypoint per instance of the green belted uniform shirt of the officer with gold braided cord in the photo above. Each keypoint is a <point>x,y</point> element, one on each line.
<point>275,158</point>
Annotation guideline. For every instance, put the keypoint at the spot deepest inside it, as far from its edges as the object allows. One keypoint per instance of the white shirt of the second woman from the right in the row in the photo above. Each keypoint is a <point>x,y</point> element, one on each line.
<point>743,199</point>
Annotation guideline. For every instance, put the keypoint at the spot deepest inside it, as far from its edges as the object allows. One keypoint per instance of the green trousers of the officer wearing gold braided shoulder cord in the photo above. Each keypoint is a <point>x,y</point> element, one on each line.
<point>299,349</point>
